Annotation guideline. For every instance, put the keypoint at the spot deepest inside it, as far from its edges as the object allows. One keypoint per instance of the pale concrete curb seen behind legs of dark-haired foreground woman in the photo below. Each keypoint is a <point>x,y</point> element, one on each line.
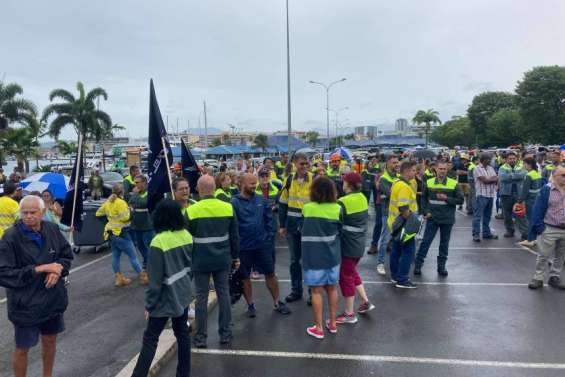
<point>166,348</point>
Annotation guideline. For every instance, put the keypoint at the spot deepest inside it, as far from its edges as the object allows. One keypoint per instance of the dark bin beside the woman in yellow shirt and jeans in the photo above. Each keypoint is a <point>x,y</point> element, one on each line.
<point>92,231</point>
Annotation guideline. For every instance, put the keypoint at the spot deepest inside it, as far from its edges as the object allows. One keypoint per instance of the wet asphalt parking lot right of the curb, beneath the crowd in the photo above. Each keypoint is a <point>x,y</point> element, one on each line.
<point>480,321</point>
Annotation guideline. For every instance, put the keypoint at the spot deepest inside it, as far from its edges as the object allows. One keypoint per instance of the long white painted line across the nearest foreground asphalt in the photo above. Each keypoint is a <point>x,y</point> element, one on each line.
<point>382,359</point>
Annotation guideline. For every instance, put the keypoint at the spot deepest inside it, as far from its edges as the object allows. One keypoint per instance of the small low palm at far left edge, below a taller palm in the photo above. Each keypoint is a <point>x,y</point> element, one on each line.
<point>21,143</point>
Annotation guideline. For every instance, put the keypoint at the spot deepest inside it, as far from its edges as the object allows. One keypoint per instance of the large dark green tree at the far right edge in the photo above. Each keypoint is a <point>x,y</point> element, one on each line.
<point>541,100</point>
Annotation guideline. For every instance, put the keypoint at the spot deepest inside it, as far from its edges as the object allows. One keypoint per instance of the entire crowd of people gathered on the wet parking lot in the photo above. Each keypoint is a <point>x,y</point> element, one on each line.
<point>228,230</point>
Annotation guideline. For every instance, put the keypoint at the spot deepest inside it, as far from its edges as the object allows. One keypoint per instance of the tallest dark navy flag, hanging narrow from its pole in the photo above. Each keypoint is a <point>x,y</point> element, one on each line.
<point>157,176</point>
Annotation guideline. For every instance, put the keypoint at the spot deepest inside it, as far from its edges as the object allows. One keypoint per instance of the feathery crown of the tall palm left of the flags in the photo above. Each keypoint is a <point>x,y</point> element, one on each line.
<point>81,113</point>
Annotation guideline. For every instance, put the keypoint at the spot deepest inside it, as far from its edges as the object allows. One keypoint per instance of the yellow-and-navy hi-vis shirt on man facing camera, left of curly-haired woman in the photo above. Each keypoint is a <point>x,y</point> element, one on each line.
<point>294,195</point>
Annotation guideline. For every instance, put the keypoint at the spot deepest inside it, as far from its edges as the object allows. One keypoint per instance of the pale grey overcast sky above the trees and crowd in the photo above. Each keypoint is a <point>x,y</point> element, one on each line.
<point>398,56</point>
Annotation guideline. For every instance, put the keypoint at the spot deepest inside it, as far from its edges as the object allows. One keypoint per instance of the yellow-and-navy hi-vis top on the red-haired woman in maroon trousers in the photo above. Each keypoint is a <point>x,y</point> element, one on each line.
<point>355,217</point>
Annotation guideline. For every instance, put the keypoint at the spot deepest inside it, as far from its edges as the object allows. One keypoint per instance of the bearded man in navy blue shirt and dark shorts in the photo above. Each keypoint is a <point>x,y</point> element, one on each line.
<point>256,233</point>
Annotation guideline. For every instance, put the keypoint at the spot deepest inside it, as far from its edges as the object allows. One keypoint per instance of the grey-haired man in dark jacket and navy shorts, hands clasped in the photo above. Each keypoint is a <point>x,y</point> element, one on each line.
<point>34,257</point>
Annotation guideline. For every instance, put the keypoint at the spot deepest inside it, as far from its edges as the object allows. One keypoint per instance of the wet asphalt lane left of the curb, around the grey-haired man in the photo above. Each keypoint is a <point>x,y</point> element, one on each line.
<point>104,324</point>
